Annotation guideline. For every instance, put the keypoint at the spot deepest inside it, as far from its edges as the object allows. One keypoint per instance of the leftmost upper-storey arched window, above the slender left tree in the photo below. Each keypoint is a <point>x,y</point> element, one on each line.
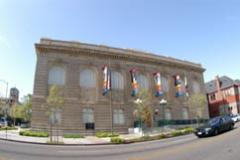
<point>56,76</point>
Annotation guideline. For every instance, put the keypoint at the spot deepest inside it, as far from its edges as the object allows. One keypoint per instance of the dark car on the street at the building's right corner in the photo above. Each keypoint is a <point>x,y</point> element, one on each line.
<point>215,126</point>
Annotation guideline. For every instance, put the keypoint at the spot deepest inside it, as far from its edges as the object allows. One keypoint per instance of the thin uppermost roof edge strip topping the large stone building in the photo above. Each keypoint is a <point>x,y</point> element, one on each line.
<point>54,44</point>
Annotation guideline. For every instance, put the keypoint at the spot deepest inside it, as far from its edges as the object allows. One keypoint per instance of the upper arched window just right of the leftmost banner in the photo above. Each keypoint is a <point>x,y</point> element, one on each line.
<point>116,80</point>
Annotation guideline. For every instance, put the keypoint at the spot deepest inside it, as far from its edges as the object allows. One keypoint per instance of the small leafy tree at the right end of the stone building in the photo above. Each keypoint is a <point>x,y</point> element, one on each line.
<point>196,103</point>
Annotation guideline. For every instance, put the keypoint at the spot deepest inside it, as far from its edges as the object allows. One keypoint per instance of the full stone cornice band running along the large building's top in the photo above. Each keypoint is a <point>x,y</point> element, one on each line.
<point>47,45</point>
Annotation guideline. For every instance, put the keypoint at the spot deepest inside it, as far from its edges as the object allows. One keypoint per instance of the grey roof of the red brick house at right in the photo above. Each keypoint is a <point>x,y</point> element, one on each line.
<point>225,82</point>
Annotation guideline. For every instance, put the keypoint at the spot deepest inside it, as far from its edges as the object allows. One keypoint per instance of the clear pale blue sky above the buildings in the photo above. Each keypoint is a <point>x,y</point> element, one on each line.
<point>202,31</point>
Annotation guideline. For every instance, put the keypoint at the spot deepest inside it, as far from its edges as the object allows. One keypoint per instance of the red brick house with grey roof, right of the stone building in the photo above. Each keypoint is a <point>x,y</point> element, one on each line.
<point>223,96</point>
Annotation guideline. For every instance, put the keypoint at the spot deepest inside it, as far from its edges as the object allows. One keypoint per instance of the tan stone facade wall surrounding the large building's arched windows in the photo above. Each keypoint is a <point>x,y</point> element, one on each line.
<point>73,59</point>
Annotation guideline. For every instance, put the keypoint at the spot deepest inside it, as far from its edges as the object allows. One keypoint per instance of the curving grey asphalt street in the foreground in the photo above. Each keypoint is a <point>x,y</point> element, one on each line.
<point>221,147</point>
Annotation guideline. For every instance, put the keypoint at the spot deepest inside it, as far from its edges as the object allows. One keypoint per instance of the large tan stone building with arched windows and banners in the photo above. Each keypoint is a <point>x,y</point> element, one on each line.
<point>77,68</point>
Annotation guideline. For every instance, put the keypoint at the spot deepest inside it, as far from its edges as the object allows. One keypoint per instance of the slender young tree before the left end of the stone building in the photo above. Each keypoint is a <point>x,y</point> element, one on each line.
<point>53,105</point>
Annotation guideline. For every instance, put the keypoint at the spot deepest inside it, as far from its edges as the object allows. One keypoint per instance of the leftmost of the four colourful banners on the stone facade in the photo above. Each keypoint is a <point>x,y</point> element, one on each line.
<point>106,80</point>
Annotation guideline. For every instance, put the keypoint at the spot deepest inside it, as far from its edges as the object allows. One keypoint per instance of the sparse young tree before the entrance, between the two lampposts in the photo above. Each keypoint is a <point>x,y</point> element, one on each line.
<point>143,110</point>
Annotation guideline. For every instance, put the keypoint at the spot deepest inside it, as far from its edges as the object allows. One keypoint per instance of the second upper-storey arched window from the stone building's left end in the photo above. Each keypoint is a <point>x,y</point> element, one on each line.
<point>87,78</point>
